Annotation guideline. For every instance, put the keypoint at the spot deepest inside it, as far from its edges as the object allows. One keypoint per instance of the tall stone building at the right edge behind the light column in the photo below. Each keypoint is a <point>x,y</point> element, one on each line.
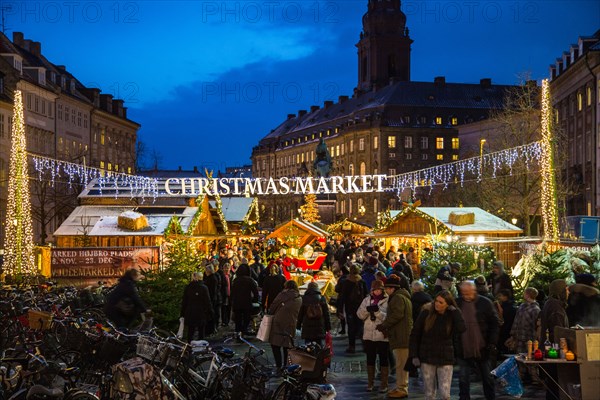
<point>575,84</point>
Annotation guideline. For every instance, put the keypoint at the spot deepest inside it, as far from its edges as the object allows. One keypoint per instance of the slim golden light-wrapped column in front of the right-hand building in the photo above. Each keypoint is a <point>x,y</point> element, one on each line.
<point>549,196</point>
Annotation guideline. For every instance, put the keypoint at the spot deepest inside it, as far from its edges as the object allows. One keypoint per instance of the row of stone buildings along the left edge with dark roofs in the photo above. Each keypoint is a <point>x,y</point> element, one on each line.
<point>64,120</point>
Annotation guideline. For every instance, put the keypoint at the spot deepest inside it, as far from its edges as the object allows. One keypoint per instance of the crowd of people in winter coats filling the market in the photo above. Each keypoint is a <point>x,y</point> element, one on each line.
<point>382,303</point>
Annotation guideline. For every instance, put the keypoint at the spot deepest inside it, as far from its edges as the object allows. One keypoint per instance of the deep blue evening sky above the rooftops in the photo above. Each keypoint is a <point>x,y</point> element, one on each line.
<point>208,79</point>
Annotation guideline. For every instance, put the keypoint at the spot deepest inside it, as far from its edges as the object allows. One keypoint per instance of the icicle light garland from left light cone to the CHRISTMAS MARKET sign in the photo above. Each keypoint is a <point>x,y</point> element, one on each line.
<point>75,174</point>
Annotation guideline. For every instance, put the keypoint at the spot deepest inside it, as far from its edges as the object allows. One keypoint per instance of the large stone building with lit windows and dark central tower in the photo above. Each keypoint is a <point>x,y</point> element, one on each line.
<point>390,125</point>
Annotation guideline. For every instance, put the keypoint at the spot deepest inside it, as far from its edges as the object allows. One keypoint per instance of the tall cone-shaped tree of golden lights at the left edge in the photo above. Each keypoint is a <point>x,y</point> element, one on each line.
<point>18,242</point>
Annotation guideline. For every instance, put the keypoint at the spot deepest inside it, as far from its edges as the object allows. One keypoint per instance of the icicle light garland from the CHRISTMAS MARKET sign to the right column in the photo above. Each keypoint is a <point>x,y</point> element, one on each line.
<point>458,171</point>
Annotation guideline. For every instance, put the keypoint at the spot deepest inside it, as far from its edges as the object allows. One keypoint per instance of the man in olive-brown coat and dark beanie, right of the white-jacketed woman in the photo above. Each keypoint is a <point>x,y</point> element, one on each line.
<point>397,326</point>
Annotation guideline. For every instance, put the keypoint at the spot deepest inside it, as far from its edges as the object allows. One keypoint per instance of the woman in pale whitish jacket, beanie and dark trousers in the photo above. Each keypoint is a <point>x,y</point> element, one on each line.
<point>372,311</point>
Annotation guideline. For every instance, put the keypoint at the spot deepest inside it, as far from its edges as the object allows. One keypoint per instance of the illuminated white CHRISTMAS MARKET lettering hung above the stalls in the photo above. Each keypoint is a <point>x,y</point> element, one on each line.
<point>274,186</point>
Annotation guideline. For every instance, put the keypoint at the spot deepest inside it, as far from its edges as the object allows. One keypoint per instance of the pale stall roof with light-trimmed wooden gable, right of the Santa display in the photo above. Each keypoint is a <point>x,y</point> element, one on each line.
<point>432,220</point>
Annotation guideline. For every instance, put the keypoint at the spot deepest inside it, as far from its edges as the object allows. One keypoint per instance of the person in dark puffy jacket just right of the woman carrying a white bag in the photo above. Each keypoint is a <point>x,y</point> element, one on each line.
<point>313,317</point>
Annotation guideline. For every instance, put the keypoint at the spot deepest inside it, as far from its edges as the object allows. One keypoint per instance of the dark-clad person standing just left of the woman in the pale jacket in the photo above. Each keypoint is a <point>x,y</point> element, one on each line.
<point>352,292</point>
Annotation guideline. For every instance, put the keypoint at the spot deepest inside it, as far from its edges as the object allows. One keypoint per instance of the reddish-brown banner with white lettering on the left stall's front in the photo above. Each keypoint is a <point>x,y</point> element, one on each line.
<point>99,263</point>
